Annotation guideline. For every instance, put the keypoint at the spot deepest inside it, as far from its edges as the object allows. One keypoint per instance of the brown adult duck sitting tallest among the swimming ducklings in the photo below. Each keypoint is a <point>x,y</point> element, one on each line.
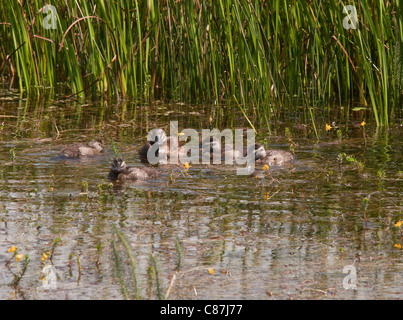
<point>158,136</point>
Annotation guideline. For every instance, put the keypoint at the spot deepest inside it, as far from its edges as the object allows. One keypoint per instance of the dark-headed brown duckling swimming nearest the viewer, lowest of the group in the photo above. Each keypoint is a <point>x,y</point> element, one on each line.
<point>121,172</point>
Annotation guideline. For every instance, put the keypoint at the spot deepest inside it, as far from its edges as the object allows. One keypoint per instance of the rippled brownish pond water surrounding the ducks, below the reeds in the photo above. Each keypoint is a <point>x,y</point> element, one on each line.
<point>203,234</point>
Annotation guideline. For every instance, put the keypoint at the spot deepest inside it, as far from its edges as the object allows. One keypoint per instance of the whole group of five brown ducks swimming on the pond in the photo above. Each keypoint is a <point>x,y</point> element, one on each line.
<point>211,147</point>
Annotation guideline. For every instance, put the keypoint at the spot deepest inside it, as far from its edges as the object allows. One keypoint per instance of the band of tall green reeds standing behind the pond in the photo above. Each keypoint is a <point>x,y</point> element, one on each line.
<point>268,55</point>
